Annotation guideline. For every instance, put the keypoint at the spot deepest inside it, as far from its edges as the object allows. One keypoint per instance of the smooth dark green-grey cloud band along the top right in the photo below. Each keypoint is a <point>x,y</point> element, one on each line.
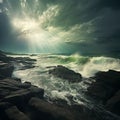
<point>79,11</point>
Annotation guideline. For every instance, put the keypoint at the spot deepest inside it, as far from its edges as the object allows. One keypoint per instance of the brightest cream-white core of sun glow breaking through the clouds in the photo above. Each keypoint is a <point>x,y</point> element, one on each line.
<point>31,30</point>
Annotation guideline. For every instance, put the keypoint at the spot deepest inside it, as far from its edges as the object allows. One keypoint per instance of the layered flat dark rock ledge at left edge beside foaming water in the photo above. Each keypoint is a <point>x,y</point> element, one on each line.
<point>16,92</point>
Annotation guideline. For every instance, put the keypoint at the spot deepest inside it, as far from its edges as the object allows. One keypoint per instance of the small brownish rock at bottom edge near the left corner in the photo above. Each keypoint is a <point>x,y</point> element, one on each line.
<point>13,113</point>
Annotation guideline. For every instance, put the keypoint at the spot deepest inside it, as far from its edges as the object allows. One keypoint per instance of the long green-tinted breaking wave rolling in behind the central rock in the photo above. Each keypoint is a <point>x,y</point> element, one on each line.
<point>87,66</point>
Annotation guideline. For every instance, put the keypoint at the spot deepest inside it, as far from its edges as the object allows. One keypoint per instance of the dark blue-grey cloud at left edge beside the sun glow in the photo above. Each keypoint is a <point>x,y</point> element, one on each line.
<point>8,38</point>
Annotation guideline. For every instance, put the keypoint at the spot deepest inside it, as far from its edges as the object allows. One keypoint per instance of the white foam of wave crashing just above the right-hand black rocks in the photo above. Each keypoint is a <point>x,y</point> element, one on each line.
<point>100,64</point>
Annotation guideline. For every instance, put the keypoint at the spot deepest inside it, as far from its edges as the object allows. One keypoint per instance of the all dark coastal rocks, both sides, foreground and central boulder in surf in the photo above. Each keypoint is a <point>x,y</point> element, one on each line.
<point>24,101</point>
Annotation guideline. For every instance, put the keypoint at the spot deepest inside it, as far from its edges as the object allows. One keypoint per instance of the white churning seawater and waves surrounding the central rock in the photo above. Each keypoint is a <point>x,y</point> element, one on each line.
<point>56,88</point>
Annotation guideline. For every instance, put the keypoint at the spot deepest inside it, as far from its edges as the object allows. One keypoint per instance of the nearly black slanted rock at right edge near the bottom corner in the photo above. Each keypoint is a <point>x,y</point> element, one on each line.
<point>113,104</point>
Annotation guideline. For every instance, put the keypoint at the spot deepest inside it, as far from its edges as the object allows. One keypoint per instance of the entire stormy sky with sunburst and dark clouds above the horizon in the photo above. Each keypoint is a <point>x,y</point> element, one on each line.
<point>87,27</point>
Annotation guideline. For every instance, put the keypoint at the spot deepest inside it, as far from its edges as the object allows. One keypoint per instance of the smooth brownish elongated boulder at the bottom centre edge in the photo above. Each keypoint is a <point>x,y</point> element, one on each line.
<point>50,111</point>
